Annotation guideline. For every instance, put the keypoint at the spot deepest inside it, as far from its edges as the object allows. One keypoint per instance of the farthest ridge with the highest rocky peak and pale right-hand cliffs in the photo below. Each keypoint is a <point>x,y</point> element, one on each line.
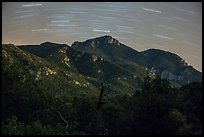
<point>164,64</point>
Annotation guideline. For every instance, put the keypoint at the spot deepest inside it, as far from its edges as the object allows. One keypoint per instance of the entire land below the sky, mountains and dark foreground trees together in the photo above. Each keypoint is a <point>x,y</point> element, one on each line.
<point>45,86</point>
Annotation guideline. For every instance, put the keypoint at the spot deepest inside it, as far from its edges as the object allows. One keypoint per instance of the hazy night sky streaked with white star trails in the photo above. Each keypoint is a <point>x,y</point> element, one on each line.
<point>175,27</point>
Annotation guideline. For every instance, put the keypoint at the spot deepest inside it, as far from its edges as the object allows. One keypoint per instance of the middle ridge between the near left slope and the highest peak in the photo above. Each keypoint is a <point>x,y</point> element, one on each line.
<point>84,63</point>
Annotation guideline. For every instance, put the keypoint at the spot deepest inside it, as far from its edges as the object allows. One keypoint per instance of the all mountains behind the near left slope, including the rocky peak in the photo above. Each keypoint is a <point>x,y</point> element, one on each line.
<point>106,59</point>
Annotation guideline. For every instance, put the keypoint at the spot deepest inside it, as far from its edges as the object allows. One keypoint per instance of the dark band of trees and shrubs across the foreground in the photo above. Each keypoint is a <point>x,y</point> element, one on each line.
<point>31,107</point>
